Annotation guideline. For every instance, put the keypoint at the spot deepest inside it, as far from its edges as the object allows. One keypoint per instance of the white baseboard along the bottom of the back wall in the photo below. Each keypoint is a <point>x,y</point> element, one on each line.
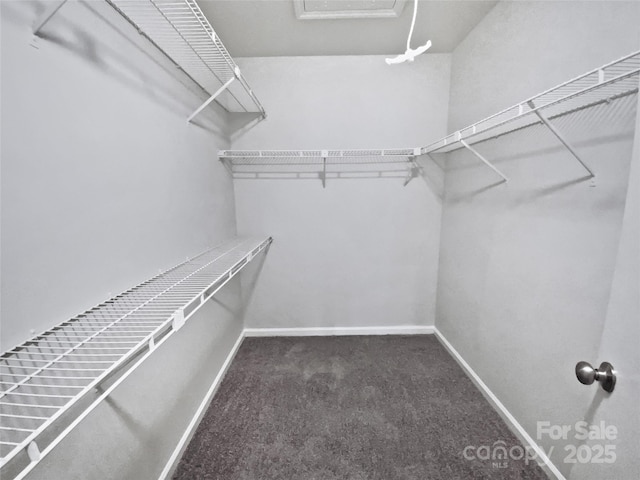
<point>334,331</point>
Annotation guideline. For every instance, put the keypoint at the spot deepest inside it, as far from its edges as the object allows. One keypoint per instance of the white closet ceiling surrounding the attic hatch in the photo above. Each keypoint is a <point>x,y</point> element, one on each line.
<point>266,28</point>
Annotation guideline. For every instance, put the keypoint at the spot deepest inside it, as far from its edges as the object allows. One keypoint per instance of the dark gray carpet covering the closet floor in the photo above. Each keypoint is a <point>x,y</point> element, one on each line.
<point>352,408</point>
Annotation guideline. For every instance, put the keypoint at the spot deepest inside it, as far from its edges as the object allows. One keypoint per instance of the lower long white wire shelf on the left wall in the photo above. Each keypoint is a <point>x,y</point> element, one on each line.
<point>44,378</point>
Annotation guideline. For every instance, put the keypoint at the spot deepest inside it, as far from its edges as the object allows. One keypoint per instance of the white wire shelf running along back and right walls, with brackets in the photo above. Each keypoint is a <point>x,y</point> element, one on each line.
<point>604,84</point>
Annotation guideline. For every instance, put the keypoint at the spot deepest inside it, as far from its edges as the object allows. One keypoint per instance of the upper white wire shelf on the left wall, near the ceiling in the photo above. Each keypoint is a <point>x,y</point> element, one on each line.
<point>183,33</point>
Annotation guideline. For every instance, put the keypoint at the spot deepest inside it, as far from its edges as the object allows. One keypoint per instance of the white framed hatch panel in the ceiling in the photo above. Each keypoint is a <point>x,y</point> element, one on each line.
<point>347,9</point>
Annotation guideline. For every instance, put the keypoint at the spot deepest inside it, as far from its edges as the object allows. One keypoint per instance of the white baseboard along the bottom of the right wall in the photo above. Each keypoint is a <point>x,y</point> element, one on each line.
<point>511,421</point>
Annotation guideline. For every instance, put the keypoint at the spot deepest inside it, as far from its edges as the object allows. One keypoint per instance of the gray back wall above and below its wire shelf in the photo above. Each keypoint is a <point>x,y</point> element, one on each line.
<point>362,252</point>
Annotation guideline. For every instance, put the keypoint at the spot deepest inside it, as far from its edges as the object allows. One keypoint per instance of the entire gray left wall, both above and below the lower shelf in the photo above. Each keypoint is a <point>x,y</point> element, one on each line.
<point>103,184</point>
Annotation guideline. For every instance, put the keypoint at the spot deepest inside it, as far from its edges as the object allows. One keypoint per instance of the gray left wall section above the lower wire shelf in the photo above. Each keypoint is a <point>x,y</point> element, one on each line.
<point>103,181</point>
